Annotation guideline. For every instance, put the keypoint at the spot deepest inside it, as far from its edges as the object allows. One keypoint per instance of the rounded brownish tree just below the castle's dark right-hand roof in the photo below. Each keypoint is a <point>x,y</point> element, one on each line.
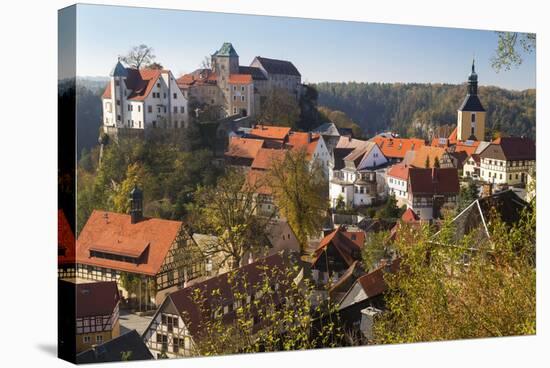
<point>280,108</point>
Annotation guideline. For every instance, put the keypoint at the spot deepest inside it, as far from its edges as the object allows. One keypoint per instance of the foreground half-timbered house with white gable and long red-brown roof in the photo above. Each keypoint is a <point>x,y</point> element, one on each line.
<point>178,325</point>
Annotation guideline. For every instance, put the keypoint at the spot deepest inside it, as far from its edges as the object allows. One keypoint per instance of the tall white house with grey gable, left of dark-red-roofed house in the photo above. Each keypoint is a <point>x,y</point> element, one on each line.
<point>353,174</point>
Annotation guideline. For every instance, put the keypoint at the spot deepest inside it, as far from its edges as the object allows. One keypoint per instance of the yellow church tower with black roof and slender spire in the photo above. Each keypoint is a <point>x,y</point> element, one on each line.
<point>471,114</point>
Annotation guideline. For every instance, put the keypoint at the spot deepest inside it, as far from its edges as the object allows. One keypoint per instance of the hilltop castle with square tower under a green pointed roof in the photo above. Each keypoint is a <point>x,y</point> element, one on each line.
<point>236,89</point>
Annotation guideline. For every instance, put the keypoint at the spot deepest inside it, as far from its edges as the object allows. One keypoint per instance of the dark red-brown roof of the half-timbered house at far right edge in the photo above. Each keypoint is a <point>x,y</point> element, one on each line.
<point>510,149</point>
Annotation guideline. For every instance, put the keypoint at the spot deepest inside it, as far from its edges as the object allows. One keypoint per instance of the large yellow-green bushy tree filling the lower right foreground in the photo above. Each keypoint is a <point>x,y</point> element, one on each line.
<point>448,289</point>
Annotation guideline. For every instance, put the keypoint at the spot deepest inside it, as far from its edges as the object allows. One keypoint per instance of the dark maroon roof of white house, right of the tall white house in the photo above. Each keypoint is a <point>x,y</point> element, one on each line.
<point>433,181</point>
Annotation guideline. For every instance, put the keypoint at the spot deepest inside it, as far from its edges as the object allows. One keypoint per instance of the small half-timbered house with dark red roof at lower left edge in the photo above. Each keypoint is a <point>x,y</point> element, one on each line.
<point>97,312</point>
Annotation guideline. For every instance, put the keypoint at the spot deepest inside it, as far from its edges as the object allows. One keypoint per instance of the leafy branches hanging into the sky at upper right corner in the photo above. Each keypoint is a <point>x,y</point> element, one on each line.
<point>510,46</point>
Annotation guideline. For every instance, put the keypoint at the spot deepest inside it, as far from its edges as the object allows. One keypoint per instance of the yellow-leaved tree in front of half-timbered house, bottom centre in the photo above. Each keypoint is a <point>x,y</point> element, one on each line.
<point>289,320</point>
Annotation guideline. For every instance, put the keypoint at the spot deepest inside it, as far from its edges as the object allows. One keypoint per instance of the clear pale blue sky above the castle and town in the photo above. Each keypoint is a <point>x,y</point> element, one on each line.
<point>322,50</point>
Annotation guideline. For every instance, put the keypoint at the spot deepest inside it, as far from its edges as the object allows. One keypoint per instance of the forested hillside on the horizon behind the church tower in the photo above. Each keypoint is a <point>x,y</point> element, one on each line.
<point>411,109</point>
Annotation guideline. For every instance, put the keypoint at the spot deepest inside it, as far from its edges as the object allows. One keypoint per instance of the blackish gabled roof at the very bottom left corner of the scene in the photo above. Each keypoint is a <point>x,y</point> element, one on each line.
<point>112,350</point>
